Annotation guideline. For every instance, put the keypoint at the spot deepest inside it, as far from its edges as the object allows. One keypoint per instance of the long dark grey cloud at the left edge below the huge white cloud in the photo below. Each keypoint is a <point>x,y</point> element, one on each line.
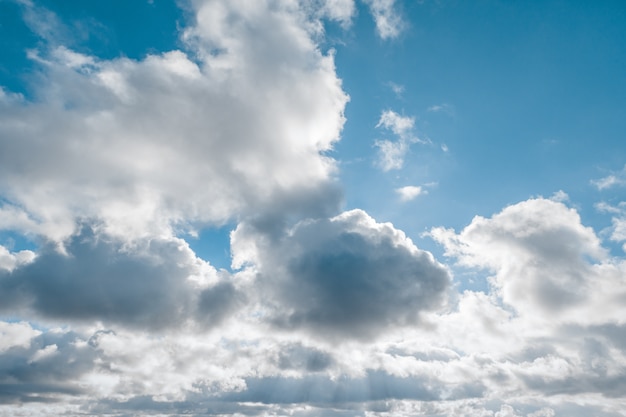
<point>99,279</point>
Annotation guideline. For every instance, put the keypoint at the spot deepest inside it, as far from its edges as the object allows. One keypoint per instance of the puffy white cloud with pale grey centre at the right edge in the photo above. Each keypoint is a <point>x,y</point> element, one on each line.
<point>545,262</point>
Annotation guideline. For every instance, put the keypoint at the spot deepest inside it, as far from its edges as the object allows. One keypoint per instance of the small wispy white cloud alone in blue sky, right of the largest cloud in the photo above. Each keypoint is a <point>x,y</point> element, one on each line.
<point>392,153</point>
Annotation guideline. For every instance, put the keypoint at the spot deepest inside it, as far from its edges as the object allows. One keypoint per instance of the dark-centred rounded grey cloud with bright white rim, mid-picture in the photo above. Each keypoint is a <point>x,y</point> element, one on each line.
<point>343,277</point>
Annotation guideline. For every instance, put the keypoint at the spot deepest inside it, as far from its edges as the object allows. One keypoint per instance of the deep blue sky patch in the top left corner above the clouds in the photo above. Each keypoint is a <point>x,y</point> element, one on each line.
<point>106,30</point>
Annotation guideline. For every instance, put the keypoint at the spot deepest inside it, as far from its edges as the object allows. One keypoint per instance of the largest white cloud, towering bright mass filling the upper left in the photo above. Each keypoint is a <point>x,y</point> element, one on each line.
<point>149,147</point>
